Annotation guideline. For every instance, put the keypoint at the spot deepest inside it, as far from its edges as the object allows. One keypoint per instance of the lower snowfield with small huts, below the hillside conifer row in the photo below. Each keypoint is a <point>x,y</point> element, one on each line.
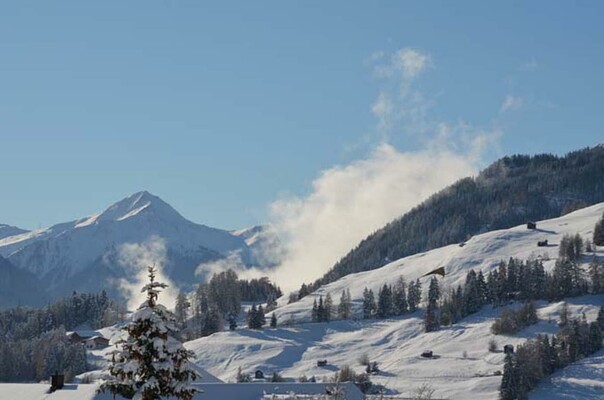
<point>461,351</point>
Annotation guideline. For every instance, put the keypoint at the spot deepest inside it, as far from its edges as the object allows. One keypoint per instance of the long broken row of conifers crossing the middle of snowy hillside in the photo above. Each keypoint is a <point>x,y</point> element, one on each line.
<point>514,280</point>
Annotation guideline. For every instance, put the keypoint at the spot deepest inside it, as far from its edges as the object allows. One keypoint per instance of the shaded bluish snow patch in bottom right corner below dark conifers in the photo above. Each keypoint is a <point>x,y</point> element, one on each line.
<point>581,380</point>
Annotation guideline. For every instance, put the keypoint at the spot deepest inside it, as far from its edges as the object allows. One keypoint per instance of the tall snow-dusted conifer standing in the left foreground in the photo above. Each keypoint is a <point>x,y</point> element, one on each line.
<point>150,363</point>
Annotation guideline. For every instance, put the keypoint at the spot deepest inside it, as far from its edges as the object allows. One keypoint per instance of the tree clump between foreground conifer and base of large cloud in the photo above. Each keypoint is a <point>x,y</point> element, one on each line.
<point>219,300</point>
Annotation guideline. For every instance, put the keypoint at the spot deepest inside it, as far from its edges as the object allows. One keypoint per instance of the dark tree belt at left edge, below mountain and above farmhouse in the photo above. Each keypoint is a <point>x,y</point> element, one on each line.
<point>96,310</point>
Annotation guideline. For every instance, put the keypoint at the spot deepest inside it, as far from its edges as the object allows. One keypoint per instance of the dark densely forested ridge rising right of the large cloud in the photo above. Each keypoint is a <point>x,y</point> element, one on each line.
<point>511,191</point>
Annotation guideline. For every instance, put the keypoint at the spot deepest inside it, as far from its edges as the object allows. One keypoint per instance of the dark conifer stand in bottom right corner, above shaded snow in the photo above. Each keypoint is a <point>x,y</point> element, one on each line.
<point>540,357</point>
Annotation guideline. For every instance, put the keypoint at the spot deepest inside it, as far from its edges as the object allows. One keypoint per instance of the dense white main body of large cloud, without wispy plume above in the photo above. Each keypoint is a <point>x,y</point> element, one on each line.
<point>349,202</point>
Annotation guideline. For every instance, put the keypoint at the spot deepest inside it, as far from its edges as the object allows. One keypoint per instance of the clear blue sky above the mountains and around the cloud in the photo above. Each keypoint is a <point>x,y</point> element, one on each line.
<point>220,109</point>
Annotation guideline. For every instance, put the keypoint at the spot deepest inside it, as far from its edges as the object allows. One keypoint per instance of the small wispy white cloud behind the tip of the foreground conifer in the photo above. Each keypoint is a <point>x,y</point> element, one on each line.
<point>136,257</point>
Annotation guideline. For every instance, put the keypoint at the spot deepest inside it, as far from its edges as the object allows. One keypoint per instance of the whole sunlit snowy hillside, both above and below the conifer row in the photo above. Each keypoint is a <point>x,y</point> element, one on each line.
<point>462,367</point>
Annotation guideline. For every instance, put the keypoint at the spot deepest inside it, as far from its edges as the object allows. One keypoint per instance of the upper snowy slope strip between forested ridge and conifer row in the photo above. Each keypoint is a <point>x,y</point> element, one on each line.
<point>481,252</point>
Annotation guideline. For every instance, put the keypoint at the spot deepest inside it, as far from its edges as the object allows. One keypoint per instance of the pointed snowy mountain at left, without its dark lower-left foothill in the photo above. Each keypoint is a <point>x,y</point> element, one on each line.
<point>84,254</point>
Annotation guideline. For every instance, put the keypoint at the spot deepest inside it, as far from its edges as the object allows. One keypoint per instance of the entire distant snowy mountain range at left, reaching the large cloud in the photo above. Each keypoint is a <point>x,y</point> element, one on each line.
<point>87,254</point>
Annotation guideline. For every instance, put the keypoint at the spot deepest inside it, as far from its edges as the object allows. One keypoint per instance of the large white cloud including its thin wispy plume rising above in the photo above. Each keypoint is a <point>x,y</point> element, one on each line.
<point>347,203</point>
